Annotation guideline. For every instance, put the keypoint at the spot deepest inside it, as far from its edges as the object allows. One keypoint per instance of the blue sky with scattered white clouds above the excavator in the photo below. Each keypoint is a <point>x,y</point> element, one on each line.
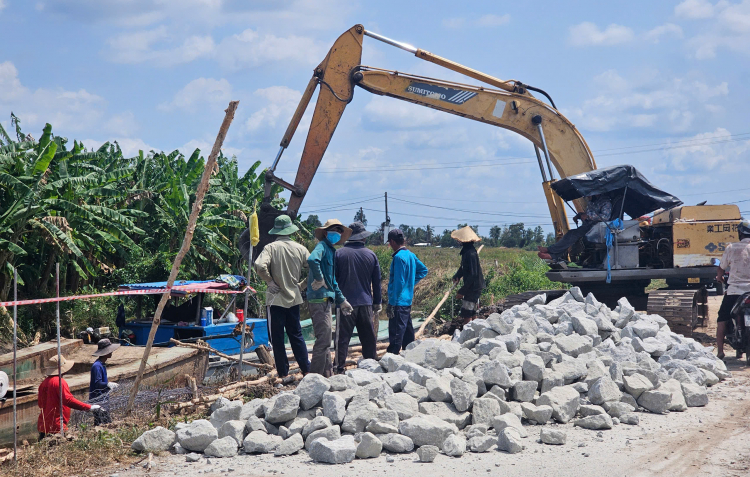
<point>664,86</point>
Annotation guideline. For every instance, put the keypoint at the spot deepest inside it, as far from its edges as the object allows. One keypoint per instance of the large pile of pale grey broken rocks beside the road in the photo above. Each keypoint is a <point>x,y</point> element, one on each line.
<point>573,359</point>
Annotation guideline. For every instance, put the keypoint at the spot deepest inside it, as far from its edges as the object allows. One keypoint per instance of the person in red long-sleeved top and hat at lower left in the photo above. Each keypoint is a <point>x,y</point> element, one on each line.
<point>49,398</point>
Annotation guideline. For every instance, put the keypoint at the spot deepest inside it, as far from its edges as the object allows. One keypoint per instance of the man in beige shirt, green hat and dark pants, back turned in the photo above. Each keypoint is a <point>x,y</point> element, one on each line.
<point>280,265</point>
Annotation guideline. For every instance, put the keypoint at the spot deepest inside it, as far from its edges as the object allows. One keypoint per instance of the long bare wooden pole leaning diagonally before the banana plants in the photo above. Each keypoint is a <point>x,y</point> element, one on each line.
<point>197,206</point>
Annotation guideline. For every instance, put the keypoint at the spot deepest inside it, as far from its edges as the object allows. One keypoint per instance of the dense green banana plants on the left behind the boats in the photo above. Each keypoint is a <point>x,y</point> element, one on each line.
<point>108,219</point>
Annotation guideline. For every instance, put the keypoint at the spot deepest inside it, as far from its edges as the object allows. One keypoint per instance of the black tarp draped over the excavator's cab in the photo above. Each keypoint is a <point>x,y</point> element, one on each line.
<point>641,197</point>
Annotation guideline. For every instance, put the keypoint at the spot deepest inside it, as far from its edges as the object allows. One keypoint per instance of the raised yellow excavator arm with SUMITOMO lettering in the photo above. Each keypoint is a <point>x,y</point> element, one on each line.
<point>509,105</point>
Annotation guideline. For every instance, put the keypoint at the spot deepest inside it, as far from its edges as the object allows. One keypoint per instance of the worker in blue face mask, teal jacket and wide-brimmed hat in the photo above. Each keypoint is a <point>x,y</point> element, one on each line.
<point>323,290</point>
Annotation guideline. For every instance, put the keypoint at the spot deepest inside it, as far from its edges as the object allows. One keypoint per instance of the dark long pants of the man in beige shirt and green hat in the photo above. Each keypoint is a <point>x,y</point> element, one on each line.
<point>287,319</point>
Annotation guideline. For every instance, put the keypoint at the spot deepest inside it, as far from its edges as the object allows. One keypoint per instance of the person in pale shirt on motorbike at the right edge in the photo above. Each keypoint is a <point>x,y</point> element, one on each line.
<point>735,260</point>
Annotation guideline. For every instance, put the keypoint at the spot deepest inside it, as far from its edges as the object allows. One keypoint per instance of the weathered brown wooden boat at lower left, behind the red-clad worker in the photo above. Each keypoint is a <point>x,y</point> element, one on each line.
<point>166,366</point>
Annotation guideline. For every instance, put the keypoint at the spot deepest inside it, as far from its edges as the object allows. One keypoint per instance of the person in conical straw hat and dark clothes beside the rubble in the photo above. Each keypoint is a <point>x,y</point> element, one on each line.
<point>470,271</point>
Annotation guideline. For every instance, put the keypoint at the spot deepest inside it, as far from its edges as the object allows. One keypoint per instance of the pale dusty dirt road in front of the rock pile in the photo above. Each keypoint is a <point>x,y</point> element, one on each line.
<point>709,441</point>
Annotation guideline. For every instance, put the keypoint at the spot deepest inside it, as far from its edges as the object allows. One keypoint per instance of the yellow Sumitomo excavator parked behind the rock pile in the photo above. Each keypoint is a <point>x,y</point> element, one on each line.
<point>681,245</point>
